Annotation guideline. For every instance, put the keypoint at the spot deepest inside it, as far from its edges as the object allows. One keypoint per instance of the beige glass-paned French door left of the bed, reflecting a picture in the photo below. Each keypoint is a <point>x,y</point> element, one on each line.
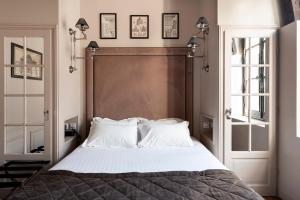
<point>25,94</point>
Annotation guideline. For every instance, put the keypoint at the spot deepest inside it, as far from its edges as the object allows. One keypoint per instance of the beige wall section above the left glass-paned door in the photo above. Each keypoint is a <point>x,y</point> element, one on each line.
<point>33,12</point>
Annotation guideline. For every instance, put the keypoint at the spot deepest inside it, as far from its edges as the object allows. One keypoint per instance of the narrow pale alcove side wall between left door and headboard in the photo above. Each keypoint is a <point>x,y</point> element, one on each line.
<point>69,99</point>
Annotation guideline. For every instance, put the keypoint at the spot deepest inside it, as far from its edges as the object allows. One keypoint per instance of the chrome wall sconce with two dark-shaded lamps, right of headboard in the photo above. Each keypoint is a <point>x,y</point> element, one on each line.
<point>202,35</point>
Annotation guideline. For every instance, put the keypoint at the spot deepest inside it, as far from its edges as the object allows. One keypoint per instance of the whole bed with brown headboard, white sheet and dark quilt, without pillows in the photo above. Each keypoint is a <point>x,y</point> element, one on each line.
<point>152,83</point>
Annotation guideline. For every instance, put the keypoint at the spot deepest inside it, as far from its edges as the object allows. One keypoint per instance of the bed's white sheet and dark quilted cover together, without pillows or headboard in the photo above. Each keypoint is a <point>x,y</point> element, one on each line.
<point>168,173</point>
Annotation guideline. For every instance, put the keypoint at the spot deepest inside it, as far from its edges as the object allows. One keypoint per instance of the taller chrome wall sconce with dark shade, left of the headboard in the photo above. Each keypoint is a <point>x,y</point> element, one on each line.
<point>82,26</point>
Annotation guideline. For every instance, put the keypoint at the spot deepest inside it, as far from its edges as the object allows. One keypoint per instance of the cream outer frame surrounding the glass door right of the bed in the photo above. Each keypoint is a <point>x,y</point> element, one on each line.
<point>223,31</point>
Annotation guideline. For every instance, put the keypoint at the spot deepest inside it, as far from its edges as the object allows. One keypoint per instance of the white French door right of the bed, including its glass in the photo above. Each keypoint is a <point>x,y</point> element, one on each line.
<point>249,115</point>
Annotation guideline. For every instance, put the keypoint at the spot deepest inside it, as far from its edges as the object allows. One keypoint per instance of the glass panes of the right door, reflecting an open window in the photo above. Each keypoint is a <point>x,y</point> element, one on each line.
<point>250,93</point>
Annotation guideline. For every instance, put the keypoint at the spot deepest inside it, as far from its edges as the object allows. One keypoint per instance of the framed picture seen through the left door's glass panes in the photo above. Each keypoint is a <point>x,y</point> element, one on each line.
<point>33,58</point>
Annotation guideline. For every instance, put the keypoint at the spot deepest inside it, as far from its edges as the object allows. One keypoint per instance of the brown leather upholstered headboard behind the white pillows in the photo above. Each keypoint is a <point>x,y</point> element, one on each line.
<point>139,82</point>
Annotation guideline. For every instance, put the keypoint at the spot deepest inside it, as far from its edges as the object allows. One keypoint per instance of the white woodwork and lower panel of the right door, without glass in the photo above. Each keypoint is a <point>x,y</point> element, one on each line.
<point>238,161</point>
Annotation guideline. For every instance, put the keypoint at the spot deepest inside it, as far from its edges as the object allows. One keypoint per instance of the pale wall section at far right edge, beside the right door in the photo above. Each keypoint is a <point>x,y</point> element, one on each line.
<point>289,144</point>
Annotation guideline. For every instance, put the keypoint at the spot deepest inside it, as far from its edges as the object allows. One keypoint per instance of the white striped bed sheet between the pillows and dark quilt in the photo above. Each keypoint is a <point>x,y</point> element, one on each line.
<point>122,160</point>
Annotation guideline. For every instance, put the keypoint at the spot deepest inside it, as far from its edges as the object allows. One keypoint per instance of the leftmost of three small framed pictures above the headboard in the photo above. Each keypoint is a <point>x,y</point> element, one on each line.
<point>108,26</point>
